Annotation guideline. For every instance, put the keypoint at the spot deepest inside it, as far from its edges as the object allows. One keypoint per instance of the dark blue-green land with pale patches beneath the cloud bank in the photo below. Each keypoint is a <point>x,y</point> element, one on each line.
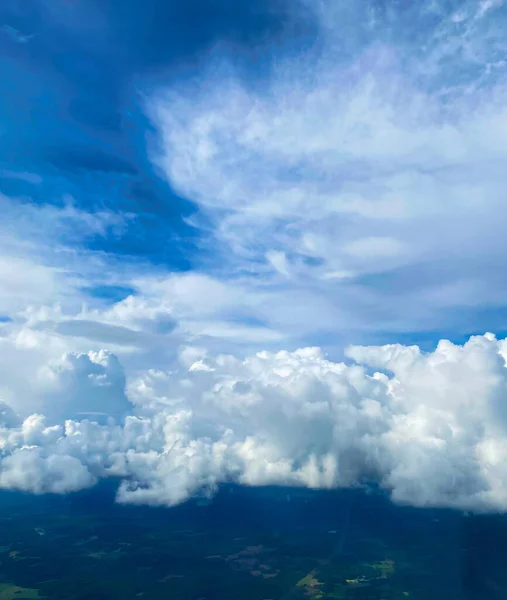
<point>247,544</point>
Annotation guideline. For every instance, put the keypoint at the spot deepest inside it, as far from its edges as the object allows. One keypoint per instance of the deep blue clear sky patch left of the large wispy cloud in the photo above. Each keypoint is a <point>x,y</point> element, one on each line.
<point>72,78</point>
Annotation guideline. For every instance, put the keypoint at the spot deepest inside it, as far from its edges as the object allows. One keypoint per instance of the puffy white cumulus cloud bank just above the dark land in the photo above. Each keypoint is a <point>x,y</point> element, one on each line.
<point>431,428</point>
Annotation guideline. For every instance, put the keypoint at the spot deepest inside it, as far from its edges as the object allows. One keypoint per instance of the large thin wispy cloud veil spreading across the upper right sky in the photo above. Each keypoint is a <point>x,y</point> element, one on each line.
<point>379,153</point>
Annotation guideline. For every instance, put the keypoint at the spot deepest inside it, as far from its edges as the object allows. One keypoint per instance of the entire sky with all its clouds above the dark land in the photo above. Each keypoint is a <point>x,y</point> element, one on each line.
<point>259,242</point>
